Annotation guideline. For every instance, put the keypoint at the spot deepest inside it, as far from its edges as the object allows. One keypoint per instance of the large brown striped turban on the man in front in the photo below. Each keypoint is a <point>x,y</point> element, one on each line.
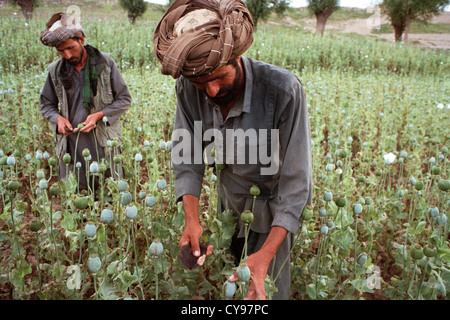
<point>196,37</point>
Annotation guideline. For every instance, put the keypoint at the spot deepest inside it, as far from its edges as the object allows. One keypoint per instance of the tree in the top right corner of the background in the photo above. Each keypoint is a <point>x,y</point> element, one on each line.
<point>402,12</point>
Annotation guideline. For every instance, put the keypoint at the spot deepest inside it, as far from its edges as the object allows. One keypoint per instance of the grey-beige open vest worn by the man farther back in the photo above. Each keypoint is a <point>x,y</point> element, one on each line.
<point>104,97</point>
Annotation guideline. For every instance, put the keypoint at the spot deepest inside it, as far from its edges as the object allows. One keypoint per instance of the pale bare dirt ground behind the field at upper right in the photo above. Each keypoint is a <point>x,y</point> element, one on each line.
<point>364,26</point>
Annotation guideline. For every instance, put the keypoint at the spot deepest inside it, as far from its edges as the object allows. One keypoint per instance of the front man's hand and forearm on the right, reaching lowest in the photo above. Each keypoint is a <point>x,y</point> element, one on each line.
<point>259,262</point>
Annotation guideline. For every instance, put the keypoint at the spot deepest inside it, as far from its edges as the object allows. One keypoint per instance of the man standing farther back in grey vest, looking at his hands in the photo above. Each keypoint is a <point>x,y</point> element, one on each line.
<point>83,87</point>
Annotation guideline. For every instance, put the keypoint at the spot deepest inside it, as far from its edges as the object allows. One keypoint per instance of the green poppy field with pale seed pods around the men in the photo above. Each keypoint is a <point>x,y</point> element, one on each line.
<point>377,227</point>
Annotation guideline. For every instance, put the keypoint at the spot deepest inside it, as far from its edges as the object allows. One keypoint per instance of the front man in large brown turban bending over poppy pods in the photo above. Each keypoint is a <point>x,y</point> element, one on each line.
<point>200,43</point>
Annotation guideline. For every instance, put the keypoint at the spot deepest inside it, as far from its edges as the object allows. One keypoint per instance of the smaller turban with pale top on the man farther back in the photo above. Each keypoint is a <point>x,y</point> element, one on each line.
<point>60,28</point>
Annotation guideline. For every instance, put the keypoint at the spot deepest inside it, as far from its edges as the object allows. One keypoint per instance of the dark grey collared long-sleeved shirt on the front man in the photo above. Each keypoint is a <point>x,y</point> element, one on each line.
<point>274,107</point>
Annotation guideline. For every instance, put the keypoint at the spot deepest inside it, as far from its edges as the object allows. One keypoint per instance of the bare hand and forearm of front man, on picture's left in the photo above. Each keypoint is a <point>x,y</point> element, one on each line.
<point>192,229</point>
